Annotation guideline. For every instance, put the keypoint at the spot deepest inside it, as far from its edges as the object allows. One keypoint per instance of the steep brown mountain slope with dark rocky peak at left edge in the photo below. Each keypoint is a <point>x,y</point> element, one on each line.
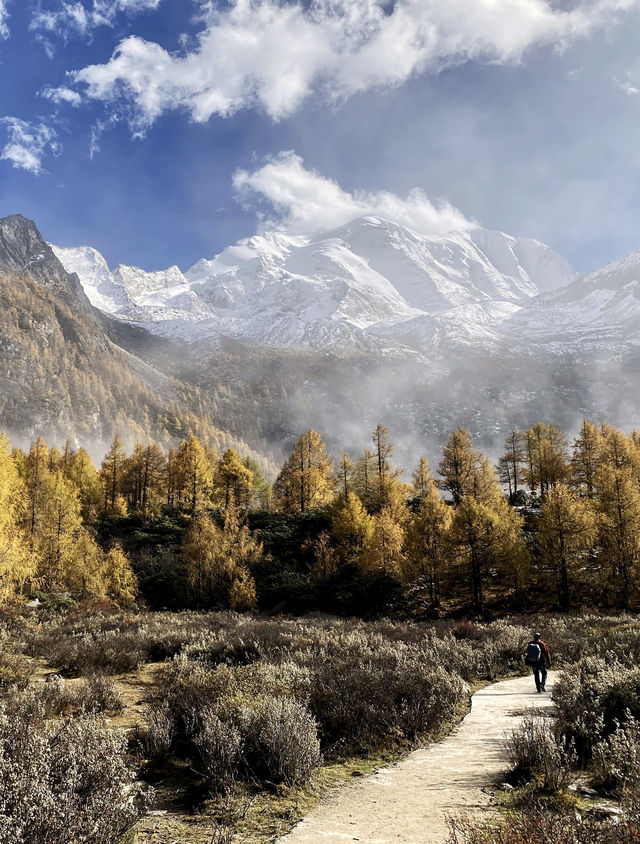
<point>61,372</point>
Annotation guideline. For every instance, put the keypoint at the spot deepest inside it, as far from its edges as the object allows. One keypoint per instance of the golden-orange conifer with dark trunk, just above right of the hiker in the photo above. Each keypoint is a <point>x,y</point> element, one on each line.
<point>566,534</point>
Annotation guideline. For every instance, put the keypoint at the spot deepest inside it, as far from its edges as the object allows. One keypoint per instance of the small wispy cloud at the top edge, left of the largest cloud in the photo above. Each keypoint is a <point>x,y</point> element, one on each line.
<point>72,16</point>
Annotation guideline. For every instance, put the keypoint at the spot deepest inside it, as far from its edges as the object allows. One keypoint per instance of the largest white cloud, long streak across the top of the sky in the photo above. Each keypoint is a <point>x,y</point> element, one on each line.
<point>273,54</point>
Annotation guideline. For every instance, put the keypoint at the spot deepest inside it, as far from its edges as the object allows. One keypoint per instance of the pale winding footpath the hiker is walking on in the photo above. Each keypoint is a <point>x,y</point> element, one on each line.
<point>409,802</point>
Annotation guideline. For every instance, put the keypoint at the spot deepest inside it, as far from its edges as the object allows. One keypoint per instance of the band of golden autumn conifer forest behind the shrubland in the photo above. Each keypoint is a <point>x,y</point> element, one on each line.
<point>553,525</point>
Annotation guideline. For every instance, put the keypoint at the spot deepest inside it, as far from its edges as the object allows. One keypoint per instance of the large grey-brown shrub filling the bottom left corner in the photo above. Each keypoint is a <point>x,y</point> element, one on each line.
<point>67,781</point>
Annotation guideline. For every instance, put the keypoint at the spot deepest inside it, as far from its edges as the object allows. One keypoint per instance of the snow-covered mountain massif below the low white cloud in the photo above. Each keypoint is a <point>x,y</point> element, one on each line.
<point>369,283</point>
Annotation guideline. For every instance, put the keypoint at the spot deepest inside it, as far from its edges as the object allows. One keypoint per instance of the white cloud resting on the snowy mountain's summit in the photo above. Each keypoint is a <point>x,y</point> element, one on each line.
<point>302,201</point>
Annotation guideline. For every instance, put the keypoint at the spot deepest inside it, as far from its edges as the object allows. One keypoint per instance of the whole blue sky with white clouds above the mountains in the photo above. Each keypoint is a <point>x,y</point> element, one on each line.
<point>161,131</point>
